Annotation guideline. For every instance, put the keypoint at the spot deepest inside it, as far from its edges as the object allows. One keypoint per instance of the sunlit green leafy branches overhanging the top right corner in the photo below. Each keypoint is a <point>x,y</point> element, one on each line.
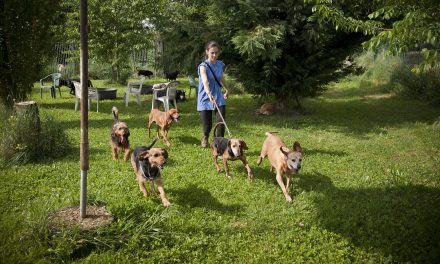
<point>399,25</point>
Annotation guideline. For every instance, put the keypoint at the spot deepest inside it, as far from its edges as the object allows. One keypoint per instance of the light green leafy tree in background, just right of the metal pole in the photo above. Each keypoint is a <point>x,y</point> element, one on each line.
<point>117,28</point>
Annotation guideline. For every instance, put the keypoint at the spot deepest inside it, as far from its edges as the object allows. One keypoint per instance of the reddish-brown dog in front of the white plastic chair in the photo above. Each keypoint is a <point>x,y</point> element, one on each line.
<point>164,120</point>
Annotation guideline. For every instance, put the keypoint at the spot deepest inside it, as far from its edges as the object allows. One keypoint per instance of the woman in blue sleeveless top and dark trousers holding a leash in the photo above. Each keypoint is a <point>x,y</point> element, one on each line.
<point>210,91</point>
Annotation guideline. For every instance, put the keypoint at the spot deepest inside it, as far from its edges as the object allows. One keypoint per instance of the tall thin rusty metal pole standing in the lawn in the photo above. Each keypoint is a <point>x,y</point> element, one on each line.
<point>84,145</point>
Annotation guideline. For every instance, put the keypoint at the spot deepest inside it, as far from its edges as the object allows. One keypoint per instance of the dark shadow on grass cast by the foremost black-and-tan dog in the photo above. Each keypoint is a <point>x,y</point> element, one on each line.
<point>194,196</point>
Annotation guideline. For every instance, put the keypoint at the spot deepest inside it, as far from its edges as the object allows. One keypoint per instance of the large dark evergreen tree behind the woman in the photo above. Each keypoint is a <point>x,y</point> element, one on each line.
<point>273,46</point>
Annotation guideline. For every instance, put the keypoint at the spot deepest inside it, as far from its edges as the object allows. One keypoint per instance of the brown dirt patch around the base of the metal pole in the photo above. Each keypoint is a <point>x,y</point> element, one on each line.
<point>69,217</point>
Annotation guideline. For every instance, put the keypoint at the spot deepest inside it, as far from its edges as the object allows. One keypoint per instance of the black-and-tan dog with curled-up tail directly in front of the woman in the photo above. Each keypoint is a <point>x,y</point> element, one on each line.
<point>229,149</point>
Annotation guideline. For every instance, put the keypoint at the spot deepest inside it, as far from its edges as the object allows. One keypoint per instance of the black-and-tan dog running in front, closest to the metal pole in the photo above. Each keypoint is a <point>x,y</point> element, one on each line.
<point>147,163</point>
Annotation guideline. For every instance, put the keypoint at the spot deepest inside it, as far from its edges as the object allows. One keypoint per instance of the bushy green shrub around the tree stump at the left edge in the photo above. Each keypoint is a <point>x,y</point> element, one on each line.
<point>21,143</point>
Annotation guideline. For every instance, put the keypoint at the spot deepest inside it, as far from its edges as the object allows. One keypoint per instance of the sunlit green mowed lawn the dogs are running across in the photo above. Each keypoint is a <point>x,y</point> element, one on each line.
<point>369,189</point>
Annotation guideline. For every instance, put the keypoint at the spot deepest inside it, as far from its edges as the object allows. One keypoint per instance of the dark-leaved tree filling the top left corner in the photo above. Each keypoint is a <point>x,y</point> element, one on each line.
<point>25,42</point>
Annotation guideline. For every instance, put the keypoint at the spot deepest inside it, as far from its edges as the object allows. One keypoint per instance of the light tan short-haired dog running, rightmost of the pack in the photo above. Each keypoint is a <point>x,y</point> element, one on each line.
<point>284,161</point>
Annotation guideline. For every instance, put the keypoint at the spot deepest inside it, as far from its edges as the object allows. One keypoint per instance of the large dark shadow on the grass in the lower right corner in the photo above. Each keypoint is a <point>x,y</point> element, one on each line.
<point>401,221</point>
